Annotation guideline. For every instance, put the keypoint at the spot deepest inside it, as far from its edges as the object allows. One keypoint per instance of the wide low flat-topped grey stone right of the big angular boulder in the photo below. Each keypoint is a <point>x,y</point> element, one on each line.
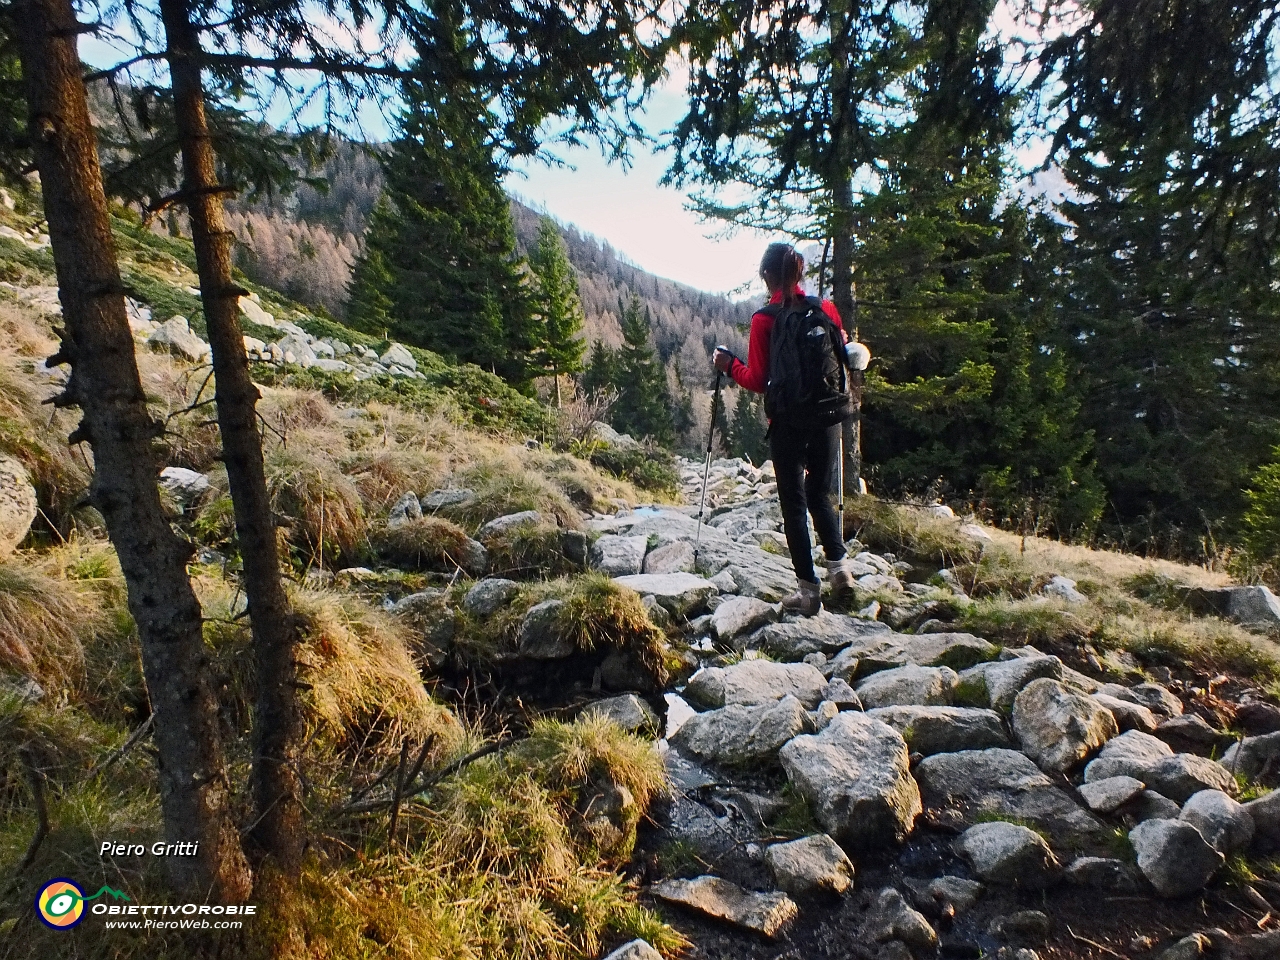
<point>999,783</point>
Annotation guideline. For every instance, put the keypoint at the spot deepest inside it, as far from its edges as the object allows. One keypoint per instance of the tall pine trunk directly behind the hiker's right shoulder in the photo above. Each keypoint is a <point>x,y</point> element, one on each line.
<point>840,184</point>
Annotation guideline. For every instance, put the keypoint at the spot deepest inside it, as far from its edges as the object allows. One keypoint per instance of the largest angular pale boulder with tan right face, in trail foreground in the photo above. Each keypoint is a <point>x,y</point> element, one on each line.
<point>857,779</point>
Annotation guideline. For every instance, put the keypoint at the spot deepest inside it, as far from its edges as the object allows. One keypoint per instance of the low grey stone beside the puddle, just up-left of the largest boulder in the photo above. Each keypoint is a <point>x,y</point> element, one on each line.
<point>743,735</point>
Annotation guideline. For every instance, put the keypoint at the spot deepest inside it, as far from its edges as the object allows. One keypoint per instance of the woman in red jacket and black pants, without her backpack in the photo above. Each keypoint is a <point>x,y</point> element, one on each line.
<point>804,454</point>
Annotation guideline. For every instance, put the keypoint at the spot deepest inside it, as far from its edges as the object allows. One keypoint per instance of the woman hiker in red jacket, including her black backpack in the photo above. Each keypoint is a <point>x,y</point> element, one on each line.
<point>806,409</point>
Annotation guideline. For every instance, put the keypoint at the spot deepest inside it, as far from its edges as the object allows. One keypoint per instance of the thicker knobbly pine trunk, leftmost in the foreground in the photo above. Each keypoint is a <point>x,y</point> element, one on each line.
<point>106,385</point>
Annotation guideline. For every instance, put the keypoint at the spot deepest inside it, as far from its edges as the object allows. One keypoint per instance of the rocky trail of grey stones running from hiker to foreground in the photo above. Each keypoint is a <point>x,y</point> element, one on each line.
<point>952,798</point>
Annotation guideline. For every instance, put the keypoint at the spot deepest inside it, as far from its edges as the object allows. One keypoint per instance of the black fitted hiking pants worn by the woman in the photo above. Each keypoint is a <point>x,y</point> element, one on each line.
<point>804,463</point>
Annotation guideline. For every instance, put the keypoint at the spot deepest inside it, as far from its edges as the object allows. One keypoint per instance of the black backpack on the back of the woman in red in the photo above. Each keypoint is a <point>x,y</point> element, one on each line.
<point>808,368</point>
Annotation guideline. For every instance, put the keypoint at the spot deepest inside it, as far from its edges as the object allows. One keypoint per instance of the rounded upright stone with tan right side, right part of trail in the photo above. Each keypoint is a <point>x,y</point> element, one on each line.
<point>1059,729</point>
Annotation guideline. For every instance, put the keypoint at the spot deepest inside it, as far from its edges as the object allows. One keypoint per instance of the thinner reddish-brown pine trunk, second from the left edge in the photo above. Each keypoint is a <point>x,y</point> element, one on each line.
<point>277,720</point>
